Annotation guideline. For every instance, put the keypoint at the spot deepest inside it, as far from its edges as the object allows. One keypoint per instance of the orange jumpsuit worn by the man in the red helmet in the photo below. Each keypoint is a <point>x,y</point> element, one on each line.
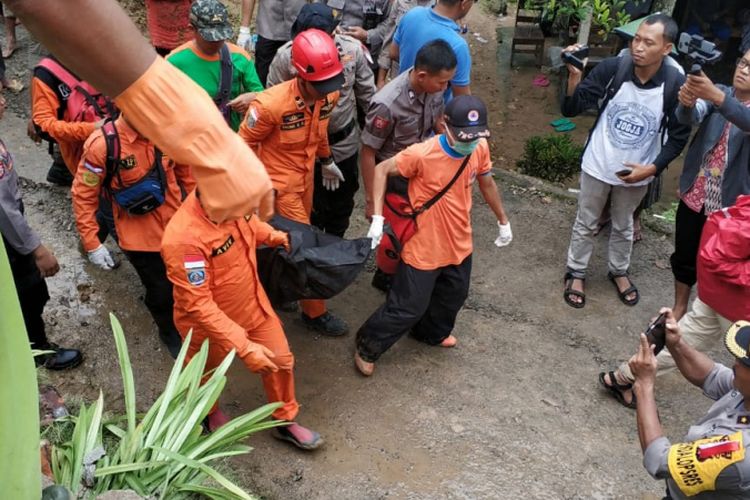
<point>287,136</point>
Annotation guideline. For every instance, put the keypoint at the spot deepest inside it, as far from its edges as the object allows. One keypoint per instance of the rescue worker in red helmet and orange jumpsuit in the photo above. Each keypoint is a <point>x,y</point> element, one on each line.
<point>287,127</point>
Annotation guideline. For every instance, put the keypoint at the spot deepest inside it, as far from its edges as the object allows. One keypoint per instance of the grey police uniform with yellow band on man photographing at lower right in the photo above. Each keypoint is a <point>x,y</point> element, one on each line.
<point>697,468</point>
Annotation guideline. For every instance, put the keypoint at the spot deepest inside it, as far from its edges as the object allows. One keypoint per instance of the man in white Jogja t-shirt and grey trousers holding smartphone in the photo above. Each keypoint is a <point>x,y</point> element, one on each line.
<point>625,148</point>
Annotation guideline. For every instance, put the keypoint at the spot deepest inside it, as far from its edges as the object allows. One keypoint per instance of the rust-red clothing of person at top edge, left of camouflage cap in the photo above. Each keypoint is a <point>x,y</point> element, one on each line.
<point>169,22</point>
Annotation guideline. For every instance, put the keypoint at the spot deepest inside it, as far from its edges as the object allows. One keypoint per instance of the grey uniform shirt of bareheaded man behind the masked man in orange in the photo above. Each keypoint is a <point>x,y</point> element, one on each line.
<point>398,117</point>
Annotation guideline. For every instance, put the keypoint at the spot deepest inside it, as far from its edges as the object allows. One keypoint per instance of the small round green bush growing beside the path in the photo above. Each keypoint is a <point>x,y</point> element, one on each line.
<point>554,158</point>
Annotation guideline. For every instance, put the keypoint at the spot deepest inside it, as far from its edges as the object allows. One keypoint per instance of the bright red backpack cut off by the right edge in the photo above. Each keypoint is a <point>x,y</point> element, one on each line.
<point>724,261</point>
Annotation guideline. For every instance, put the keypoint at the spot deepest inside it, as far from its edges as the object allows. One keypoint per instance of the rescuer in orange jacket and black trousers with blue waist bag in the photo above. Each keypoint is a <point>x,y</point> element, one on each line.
<point>139,234</point>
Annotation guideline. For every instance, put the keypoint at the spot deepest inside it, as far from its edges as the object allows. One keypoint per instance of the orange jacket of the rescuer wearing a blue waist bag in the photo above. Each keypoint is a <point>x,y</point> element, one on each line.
<point>140,233</point>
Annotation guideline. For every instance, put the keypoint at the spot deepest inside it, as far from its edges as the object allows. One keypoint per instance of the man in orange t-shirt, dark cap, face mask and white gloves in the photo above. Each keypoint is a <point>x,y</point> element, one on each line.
<point>432,279</point>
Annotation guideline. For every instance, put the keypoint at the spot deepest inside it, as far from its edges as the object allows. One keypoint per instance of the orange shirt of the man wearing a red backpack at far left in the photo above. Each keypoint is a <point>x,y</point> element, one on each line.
<point>69,135</point>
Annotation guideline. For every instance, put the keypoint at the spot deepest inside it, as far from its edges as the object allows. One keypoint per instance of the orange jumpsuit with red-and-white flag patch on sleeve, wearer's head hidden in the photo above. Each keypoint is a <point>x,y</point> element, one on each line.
<point>218,294</point>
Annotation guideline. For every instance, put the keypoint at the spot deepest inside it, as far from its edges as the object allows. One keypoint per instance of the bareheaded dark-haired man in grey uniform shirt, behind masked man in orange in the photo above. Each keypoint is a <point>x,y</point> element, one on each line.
<point>408,110</point>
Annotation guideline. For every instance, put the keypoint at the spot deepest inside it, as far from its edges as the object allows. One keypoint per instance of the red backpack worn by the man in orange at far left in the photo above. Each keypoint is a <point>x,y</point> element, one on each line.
<point>79,101</point>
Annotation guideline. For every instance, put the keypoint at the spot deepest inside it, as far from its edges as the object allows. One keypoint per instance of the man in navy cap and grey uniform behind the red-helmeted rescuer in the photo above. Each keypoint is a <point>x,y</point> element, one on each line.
<point>333,202</point>
